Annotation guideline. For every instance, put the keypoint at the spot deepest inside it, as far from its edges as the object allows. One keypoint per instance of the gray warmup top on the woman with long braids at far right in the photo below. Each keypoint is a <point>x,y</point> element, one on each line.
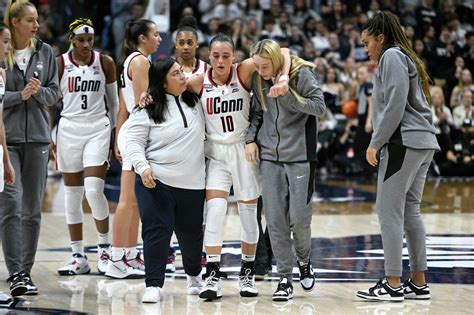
<point>401,113</point>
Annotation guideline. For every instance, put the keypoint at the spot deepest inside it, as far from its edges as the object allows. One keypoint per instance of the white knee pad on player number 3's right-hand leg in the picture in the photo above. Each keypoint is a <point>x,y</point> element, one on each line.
<point>94,187</point>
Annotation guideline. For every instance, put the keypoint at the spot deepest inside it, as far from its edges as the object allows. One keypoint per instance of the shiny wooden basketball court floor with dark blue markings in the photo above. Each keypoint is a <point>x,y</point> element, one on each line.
<point>346,254</point>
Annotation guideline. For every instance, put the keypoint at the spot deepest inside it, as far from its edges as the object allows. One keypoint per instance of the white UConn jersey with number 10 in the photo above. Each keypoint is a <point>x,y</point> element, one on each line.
<point>226,108</point>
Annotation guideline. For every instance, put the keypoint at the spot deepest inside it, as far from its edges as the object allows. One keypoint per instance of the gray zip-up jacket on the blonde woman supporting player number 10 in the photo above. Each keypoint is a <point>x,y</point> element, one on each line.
<point>287,131</point>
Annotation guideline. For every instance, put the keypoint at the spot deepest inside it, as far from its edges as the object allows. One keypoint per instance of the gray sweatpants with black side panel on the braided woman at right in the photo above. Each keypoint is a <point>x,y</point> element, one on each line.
<point>401,179</point>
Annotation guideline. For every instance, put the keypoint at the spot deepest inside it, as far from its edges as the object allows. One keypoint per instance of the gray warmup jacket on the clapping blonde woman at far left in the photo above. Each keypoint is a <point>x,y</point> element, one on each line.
<point>28,121</point>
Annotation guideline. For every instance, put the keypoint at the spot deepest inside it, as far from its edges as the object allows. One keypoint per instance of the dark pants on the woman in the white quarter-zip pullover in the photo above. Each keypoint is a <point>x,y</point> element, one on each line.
<point>163,209</point>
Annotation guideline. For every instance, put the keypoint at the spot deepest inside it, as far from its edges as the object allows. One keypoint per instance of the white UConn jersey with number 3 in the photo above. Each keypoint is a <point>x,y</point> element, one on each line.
<point>83,88</point>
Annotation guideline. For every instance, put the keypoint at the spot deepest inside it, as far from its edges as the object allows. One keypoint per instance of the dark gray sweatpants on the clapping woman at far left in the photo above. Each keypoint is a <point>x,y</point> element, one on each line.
<point>20,205</point>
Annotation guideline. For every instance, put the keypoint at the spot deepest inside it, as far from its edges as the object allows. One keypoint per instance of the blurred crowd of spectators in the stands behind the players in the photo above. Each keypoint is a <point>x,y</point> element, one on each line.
<point>327,33</point>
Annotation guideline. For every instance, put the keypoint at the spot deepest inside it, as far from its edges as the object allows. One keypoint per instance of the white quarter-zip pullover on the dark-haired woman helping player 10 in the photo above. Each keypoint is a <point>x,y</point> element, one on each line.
<point>174,149</point>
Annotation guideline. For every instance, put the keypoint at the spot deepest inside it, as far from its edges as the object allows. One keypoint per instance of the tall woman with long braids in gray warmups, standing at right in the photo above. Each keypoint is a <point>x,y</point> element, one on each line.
<point>404,136</point>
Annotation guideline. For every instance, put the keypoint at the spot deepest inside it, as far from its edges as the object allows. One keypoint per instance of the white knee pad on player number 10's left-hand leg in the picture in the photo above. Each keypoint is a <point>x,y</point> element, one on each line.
<point>216,210</point>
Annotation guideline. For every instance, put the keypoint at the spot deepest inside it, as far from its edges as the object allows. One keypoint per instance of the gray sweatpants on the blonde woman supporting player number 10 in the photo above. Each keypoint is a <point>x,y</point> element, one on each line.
<point>287,192</point>
